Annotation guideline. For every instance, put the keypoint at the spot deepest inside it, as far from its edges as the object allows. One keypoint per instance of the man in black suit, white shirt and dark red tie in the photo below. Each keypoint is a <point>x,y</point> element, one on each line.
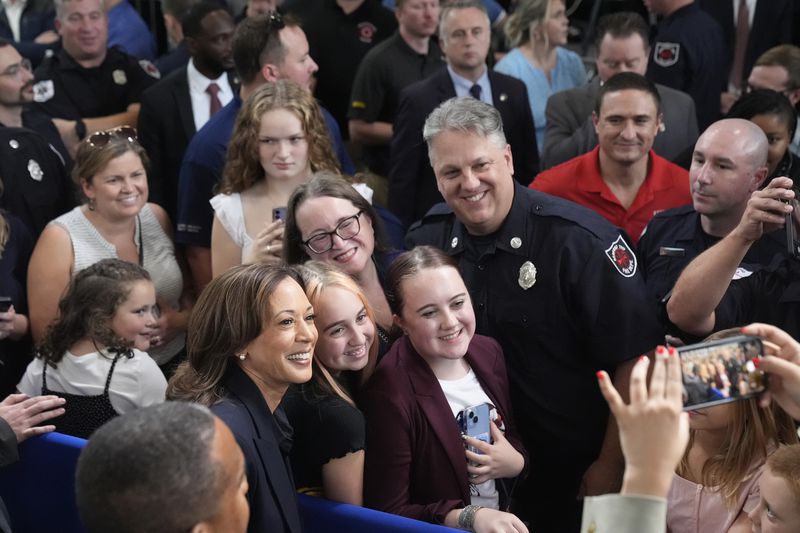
<point>180,104</point>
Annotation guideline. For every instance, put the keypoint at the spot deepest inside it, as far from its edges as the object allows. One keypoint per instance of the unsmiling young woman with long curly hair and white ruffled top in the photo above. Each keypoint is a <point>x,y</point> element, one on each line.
<point>279,140</point>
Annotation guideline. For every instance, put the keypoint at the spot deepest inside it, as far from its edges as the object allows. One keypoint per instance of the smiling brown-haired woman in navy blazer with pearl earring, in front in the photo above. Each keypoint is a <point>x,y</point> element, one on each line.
<point>252,335</point>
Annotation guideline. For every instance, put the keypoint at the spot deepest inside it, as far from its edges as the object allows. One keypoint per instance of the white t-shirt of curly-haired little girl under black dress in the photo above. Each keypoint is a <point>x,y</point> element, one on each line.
<point>136,382</point>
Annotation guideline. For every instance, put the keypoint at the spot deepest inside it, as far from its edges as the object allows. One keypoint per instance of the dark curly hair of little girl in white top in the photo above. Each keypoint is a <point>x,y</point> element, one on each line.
<point>88,307</point>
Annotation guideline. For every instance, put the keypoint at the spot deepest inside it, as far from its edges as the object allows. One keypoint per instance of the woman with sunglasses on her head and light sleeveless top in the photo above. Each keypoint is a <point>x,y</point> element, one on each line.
<point>115,221</point>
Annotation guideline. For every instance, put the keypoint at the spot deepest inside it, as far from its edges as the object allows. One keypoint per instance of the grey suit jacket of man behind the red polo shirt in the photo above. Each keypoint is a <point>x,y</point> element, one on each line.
<point>570,132</point>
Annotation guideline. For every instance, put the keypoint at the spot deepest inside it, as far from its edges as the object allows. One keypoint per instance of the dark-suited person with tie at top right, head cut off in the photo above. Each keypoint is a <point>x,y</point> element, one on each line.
<point>769,24</point>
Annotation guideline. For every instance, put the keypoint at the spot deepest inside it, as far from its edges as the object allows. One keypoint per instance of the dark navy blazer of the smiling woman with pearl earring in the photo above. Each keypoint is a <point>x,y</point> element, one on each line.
<point>272,497</point>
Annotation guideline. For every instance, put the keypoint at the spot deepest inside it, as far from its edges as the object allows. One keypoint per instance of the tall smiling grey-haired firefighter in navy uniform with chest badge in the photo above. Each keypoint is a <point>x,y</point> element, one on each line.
<point>557,286</point>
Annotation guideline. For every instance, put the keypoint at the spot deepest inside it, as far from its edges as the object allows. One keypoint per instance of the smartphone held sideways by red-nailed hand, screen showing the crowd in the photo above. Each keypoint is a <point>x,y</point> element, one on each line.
<point>721,371</point>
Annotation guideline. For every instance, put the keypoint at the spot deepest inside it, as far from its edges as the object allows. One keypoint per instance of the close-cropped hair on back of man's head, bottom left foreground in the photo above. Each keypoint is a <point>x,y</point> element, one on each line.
<point>150,470</point>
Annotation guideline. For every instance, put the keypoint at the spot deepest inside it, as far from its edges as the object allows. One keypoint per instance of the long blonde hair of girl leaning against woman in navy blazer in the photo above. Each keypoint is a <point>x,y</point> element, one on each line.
<point>319,276</point>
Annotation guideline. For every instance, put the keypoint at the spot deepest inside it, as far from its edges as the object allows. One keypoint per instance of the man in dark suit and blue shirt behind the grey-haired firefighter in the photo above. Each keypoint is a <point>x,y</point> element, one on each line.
<point>464,36</point>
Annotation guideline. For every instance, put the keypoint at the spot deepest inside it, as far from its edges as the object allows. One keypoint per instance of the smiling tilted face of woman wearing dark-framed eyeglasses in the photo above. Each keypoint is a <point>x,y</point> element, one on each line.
<point>324,214</point>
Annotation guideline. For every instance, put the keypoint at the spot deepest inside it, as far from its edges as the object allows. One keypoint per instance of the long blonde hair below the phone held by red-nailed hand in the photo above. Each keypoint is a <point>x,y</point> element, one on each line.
<point>753,433</point>
